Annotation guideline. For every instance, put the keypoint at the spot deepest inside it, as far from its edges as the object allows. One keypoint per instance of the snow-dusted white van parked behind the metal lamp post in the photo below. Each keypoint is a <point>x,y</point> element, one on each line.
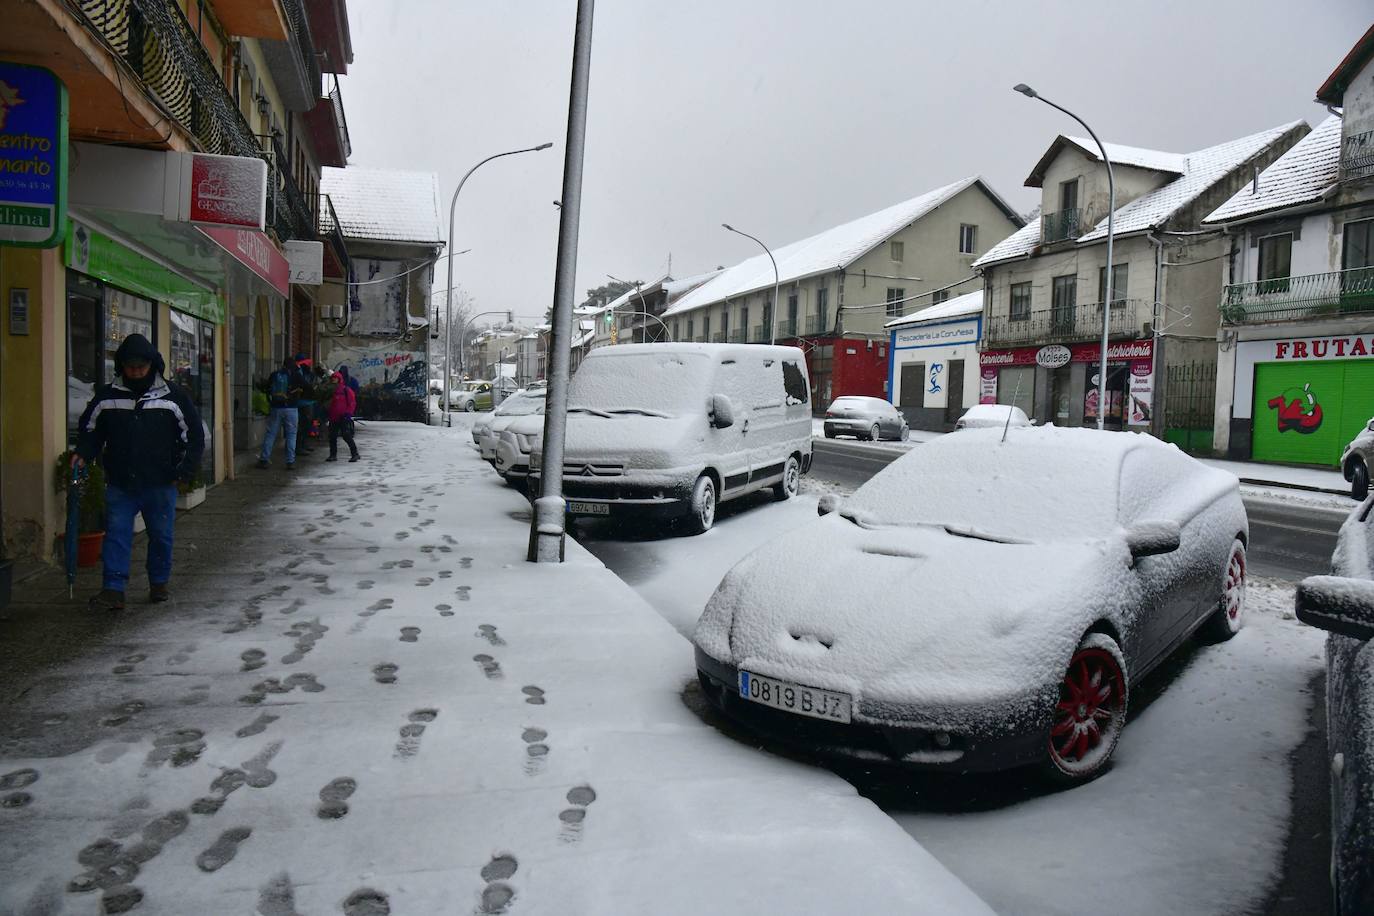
<point>673,429</point>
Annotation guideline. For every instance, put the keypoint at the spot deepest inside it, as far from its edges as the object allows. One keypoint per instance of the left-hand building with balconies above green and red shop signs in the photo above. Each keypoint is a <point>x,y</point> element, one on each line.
<point>186,170</point>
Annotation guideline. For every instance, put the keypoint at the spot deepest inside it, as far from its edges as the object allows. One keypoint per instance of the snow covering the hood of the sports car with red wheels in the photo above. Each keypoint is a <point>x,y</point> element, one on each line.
<point>912,615</point>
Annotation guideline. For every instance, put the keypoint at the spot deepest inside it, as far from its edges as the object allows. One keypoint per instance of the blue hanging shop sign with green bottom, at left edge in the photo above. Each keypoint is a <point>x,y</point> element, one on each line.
<point>34,157</point>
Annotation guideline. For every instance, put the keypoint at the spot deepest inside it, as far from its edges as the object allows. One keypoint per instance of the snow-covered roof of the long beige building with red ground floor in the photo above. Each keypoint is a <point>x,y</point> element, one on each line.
<point>829,251</point>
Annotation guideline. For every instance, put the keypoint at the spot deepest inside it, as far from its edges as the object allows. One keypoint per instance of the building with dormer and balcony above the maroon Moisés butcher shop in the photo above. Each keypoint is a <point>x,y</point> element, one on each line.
<point>1046,285</point>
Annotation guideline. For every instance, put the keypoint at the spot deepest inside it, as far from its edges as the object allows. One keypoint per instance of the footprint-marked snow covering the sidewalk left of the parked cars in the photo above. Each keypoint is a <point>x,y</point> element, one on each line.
<point>368,702</point>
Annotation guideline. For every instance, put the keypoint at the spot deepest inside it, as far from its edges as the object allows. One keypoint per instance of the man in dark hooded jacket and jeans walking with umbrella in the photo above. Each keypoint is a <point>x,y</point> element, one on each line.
<point>148,436</point>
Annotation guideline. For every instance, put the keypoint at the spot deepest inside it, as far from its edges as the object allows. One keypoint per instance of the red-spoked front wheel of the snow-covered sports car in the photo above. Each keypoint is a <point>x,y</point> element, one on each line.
<point>1090,713</point>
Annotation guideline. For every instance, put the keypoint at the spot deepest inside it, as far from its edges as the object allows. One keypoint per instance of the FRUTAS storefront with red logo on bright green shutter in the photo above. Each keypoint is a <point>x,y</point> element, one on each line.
<point>1300,400</point>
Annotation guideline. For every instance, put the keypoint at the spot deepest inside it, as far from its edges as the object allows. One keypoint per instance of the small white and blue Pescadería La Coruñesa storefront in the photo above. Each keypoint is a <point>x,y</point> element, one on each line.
<point>934,371</point>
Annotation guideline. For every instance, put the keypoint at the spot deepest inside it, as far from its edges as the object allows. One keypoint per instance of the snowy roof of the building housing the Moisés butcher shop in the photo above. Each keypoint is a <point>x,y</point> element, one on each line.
<point>1151,211</point>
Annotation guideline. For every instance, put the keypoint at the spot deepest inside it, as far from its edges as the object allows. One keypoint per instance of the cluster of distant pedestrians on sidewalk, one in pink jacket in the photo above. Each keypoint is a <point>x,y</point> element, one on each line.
<point>293,399</point>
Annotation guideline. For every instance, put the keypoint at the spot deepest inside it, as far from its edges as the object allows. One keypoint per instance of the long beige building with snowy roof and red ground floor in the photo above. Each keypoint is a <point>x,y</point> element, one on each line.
<point>839,289</point>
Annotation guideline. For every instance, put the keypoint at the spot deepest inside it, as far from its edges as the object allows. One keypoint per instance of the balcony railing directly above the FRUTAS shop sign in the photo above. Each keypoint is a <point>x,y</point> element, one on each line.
<point>1300,297</point>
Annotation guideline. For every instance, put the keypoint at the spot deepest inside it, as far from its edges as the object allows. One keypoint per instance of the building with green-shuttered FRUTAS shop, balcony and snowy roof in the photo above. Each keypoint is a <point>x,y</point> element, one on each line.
<point>1296,345</point>
